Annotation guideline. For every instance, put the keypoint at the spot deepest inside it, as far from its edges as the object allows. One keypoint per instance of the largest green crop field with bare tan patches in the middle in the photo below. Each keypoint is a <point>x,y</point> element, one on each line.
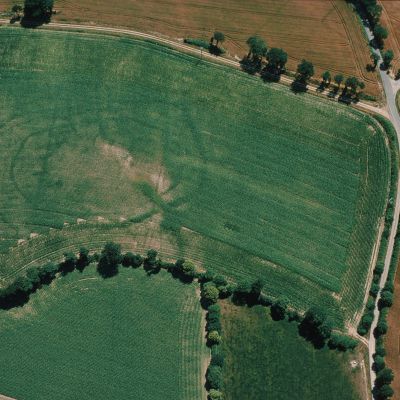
<point>246,179</point>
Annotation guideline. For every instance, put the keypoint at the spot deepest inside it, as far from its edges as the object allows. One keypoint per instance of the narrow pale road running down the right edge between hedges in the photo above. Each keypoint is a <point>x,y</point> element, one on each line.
<point>389,86</point>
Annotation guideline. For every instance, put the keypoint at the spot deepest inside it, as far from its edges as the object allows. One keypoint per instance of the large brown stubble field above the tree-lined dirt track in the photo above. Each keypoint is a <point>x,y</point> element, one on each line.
<point>322,31</point>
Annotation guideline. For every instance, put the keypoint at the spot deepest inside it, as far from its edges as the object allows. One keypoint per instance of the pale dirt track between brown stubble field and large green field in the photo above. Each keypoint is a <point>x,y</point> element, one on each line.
<point>188,49</point>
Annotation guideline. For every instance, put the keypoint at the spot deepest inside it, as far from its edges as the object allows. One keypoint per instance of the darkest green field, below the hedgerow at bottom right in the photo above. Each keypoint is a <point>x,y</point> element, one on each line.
<point>265,358</point>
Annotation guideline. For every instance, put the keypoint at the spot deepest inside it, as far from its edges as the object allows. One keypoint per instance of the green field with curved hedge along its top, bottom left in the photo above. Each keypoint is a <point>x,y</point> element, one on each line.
<point>128,337</point>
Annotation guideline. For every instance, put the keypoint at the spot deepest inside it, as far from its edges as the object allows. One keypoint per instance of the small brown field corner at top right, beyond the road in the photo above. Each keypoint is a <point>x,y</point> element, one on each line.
<point>391,20</point>
